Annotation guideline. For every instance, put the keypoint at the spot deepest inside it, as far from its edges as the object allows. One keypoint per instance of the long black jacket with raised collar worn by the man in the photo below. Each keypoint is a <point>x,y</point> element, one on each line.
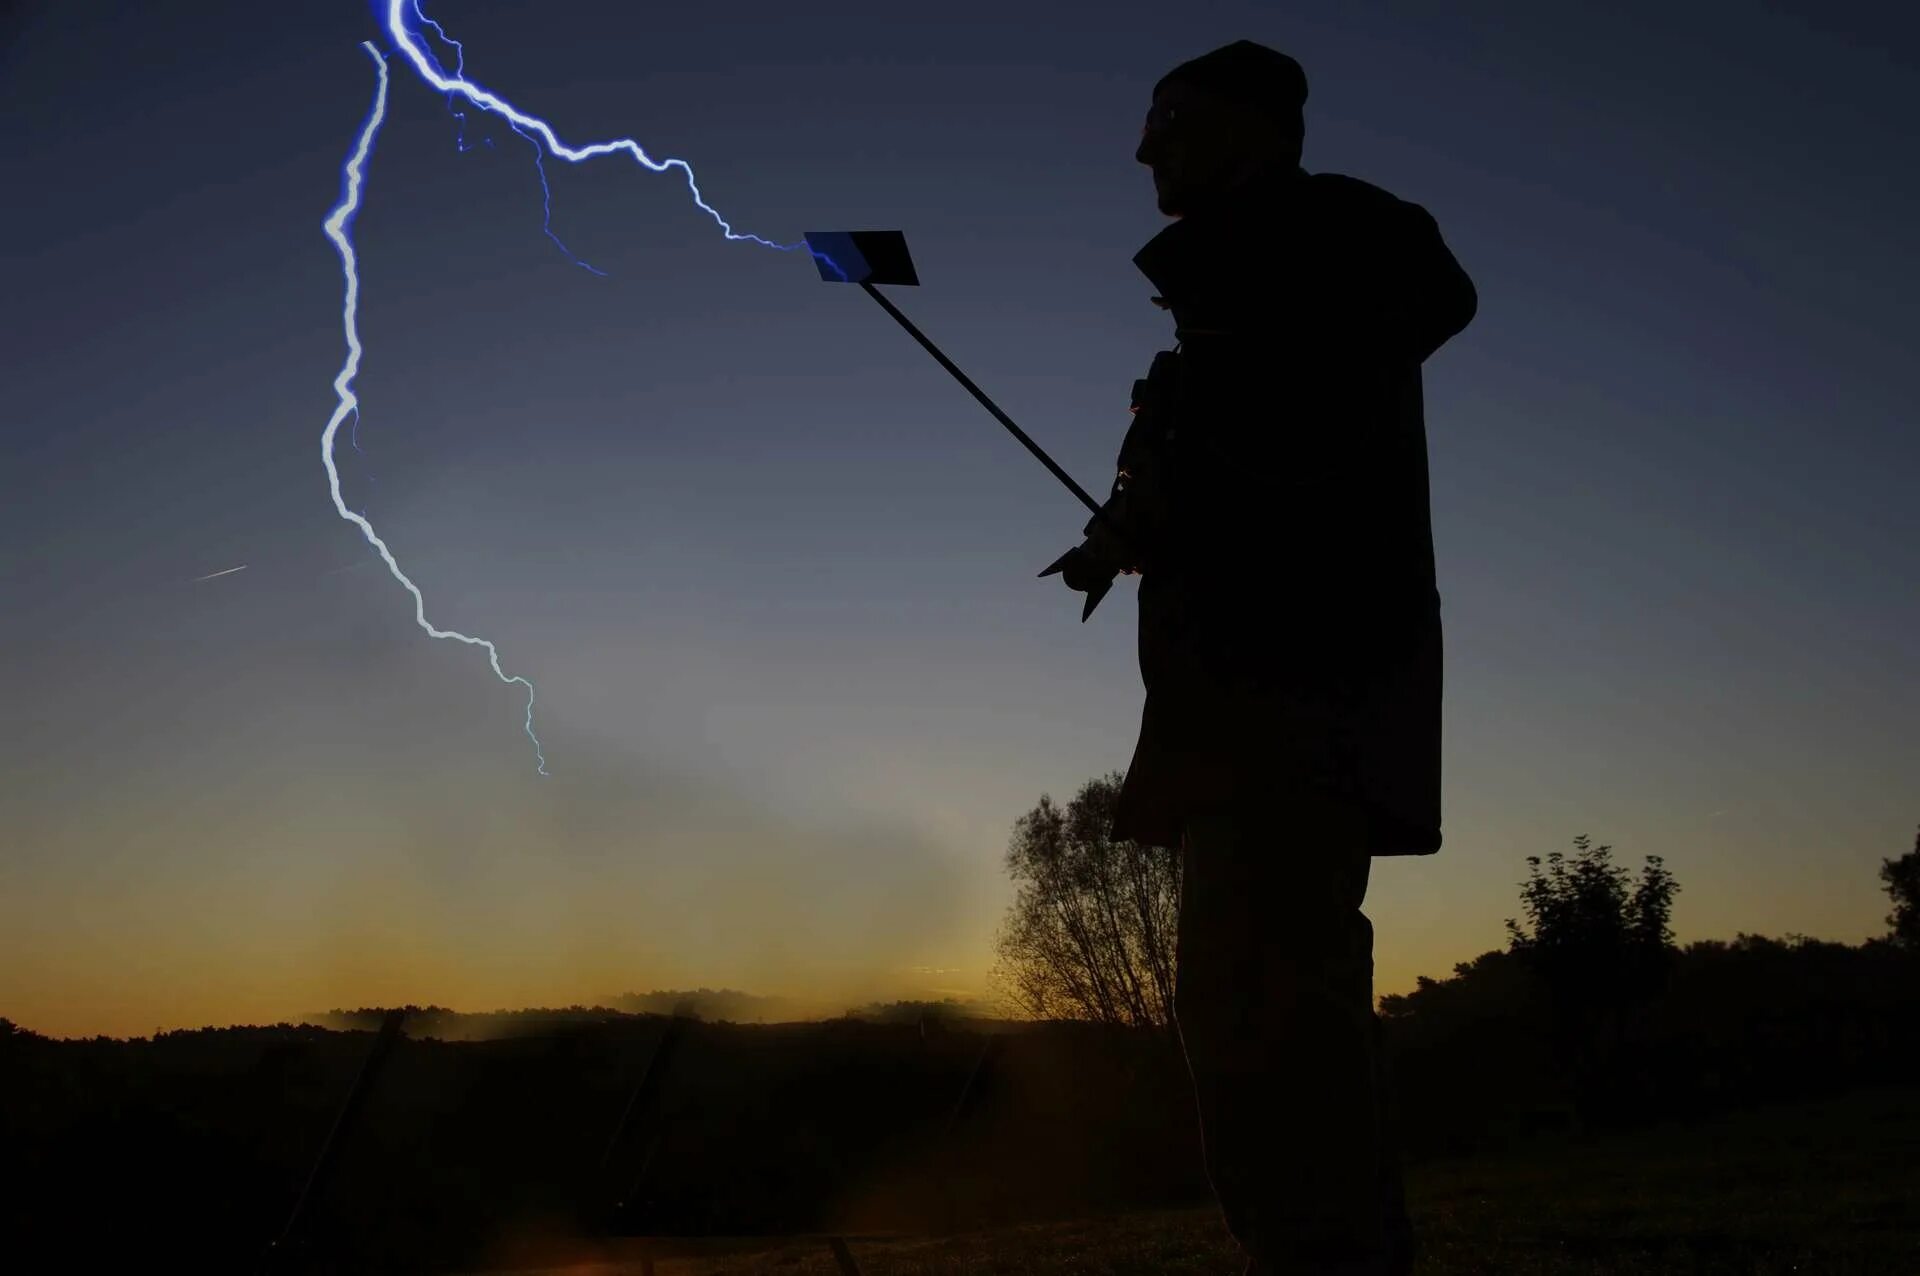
<point>1289,617</point>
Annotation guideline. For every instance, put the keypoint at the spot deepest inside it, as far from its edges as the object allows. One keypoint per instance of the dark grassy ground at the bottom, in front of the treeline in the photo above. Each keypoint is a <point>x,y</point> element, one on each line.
<point>1829,1187</point>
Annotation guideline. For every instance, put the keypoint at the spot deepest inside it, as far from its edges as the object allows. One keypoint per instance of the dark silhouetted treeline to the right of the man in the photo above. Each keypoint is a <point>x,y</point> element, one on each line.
<point>1487,1056</point>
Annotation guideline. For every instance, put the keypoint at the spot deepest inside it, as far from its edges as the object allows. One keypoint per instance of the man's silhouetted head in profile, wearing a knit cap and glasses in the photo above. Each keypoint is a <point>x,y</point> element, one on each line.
<point>1220,118</point>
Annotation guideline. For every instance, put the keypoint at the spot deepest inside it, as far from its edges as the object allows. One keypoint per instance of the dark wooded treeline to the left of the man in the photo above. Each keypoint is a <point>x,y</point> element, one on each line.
<point>191,1148</point>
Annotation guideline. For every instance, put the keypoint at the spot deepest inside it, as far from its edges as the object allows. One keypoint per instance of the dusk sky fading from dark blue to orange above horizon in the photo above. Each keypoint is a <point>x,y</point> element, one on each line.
<point>775,575</point>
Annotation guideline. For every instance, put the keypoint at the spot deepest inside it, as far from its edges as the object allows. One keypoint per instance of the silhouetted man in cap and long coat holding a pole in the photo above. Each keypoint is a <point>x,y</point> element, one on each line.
<point>1274,502</point>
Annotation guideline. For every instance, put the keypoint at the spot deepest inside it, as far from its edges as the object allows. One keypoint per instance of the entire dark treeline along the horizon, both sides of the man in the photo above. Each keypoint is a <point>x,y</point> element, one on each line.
<point>193,1146</point>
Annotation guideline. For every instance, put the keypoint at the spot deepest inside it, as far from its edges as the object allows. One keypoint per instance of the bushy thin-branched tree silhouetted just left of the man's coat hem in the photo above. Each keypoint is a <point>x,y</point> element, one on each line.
<point>1093,924</point>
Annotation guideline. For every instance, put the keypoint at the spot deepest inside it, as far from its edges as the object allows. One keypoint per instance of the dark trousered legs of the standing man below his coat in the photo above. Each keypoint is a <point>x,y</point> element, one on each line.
<point>1276,1014</point>
